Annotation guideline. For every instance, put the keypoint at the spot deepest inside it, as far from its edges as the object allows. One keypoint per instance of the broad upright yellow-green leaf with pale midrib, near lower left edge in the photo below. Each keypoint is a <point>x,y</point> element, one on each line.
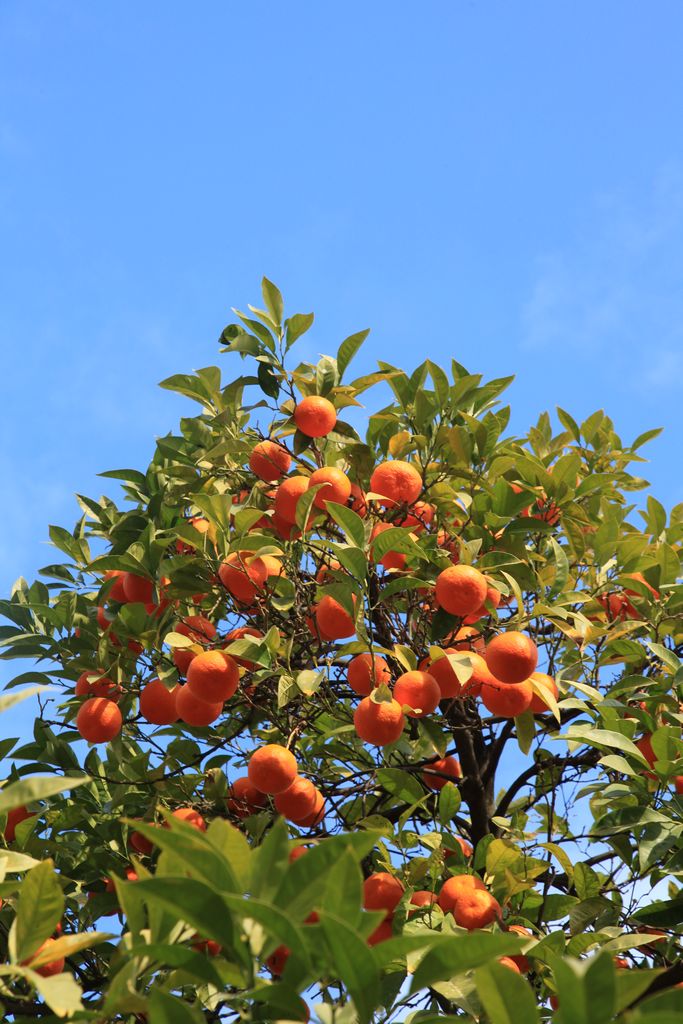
<point>39,911</point>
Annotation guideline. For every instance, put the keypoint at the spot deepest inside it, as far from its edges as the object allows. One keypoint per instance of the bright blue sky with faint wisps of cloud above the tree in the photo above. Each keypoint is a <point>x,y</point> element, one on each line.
<point>500,183</point>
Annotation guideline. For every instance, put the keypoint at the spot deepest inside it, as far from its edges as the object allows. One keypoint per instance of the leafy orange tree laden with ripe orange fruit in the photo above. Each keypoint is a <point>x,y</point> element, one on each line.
<point>379,727</point>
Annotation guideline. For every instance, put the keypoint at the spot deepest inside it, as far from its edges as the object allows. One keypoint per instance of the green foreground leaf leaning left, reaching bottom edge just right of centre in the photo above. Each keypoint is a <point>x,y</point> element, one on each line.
<point>354,963</point>
